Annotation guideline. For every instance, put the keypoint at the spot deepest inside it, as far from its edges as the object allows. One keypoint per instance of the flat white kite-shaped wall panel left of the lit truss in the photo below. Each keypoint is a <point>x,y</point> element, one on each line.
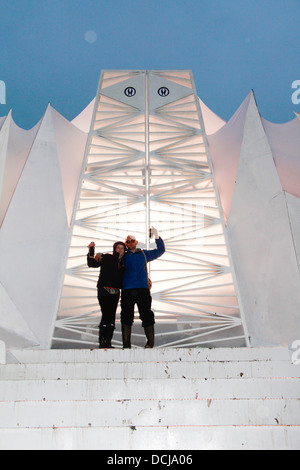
<point>34,234</point>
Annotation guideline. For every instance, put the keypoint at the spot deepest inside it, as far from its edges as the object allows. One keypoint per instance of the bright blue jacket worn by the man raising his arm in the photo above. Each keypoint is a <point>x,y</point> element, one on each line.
<point>135,276</point>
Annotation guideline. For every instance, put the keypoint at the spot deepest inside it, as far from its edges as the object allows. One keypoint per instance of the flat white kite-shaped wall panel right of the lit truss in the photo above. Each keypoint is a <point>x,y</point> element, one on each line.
<point>262,243</point>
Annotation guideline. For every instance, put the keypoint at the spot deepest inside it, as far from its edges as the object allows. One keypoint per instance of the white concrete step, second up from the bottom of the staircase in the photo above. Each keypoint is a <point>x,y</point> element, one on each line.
<point>118,413</point>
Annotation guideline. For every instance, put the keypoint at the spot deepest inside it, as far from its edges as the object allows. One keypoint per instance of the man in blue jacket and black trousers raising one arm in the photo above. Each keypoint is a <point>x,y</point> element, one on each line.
<point>136,288</point>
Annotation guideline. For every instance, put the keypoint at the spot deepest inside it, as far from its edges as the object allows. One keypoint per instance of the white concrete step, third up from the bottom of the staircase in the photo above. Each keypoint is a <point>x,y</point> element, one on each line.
<point>101,389</point>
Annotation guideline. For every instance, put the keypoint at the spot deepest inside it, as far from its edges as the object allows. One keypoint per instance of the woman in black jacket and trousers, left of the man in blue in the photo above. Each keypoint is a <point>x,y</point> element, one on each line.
<point>109,285</point>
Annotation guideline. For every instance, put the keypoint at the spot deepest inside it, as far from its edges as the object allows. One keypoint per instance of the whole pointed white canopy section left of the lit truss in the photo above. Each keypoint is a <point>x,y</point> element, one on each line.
<point>41,175</point>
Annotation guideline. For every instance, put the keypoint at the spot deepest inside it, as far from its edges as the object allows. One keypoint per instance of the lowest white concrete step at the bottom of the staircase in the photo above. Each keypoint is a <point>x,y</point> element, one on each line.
<point>167,438</point>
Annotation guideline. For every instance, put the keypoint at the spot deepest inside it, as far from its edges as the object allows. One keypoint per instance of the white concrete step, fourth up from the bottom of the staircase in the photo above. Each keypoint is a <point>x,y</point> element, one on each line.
<point>149,370</point>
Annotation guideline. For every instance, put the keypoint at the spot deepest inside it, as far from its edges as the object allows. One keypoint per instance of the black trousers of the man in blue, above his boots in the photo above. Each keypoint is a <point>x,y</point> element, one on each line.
<point>140,297</point>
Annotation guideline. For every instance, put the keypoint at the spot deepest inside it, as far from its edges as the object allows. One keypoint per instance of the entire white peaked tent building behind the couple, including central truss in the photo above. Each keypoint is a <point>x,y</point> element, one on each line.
<point>147,151</point>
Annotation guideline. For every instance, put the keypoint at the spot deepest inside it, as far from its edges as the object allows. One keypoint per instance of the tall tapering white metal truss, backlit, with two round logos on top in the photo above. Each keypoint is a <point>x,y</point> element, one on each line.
<point>147,163</point>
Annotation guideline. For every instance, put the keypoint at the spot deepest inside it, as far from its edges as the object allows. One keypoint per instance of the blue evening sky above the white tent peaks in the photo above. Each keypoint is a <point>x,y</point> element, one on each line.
<point>53,51</point>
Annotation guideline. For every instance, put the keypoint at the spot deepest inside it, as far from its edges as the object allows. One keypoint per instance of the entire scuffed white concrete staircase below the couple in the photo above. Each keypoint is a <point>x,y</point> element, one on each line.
<point>160,399</point>
